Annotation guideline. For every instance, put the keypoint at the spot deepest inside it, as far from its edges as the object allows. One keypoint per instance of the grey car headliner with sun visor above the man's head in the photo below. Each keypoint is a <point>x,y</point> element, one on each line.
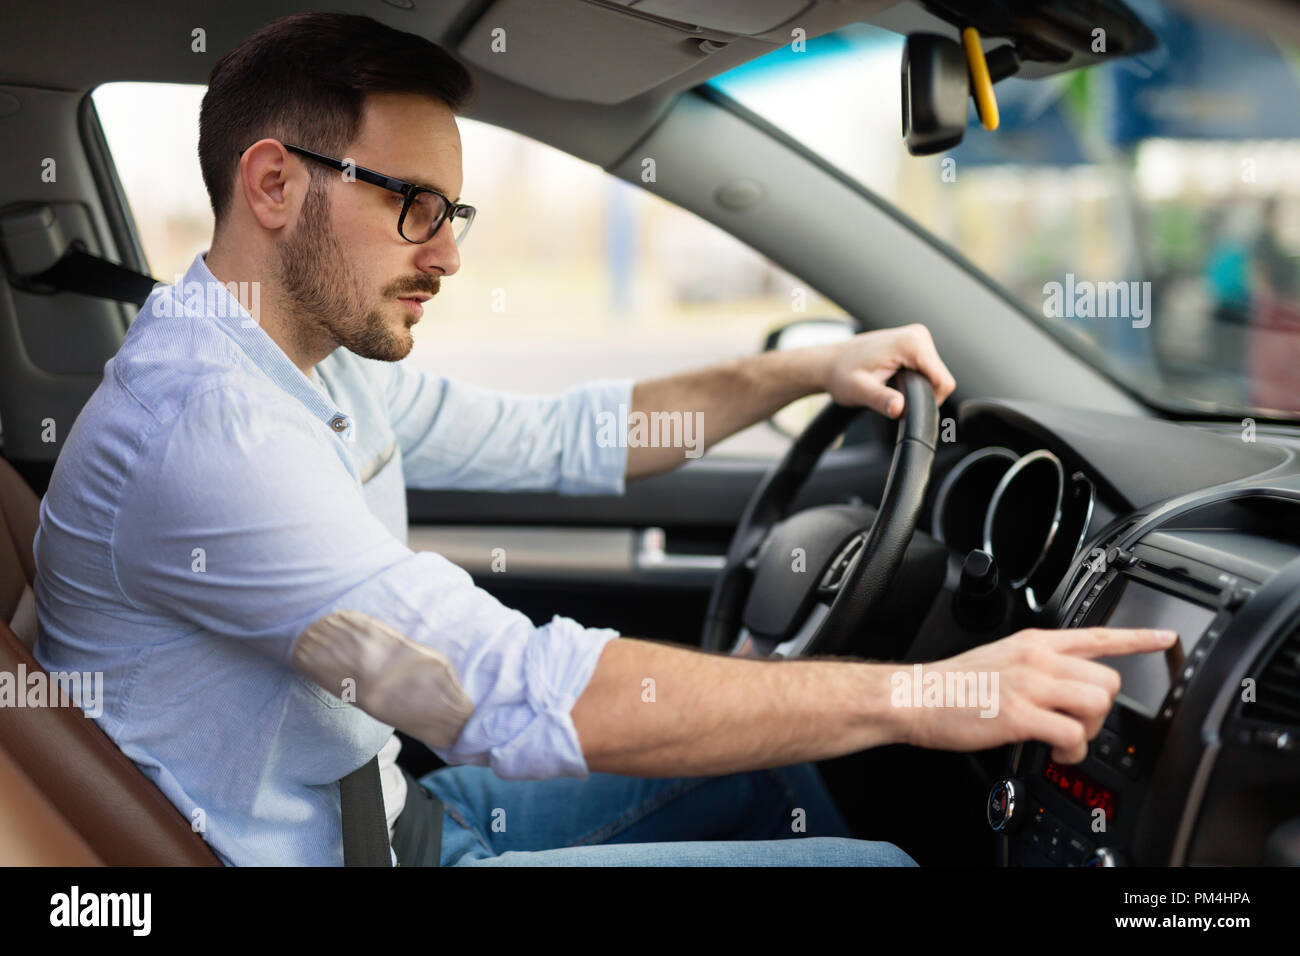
<point>583,76</point>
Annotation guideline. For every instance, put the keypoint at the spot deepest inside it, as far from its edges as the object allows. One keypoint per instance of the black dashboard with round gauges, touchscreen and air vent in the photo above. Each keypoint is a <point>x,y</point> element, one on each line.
<point>1059,517</point>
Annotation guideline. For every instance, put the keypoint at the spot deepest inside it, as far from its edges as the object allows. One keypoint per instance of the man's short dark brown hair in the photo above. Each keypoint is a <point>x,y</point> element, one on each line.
<point>304,80</point>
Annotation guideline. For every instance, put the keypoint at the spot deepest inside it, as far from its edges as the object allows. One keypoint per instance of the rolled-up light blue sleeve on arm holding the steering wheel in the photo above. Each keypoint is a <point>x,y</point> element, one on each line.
<point>457,435</point>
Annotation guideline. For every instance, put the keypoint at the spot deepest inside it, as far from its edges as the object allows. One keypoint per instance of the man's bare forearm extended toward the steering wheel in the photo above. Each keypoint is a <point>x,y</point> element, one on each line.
<point>723,400</point>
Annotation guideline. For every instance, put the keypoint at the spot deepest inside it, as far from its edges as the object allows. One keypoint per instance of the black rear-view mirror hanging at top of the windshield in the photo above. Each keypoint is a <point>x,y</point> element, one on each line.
<point>935,92</point>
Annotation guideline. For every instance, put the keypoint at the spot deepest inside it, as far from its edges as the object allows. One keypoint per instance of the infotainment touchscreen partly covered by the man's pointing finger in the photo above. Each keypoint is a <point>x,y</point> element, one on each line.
<point>1146,678</point>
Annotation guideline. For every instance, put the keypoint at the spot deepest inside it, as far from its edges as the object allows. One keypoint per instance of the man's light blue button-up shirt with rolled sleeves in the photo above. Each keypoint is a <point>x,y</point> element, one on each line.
<point>211,501</point>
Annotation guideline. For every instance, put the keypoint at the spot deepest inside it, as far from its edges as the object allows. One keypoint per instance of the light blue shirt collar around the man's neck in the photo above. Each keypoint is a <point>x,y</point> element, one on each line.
<point>202,293</point>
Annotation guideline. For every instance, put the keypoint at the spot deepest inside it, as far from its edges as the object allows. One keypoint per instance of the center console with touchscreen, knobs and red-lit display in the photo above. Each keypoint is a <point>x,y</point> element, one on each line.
<point>1104,811</point>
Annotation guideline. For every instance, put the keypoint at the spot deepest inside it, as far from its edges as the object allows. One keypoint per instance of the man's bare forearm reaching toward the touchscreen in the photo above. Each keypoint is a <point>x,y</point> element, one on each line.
<point>660,711</point>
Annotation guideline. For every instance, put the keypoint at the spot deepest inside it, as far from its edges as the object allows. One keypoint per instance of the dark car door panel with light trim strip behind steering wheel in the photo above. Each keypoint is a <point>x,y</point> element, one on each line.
<point>643,563</point>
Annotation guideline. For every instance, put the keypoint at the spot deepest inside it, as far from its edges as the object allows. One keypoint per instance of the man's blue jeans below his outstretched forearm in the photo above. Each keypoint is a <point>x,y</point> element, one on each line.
<point>781,817</point>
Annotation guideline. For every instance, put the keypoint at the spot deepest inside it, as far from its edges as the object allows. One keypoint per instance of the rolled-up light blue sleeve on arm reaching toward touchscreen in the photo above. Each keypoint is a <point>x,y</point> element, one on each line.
<point>241,517</point>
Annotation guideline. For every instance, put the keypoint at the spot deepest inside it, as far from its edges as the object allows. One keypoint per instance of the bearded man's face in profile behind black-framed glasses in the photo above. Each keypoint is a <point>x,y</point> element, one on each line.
<point>345,270</point>
